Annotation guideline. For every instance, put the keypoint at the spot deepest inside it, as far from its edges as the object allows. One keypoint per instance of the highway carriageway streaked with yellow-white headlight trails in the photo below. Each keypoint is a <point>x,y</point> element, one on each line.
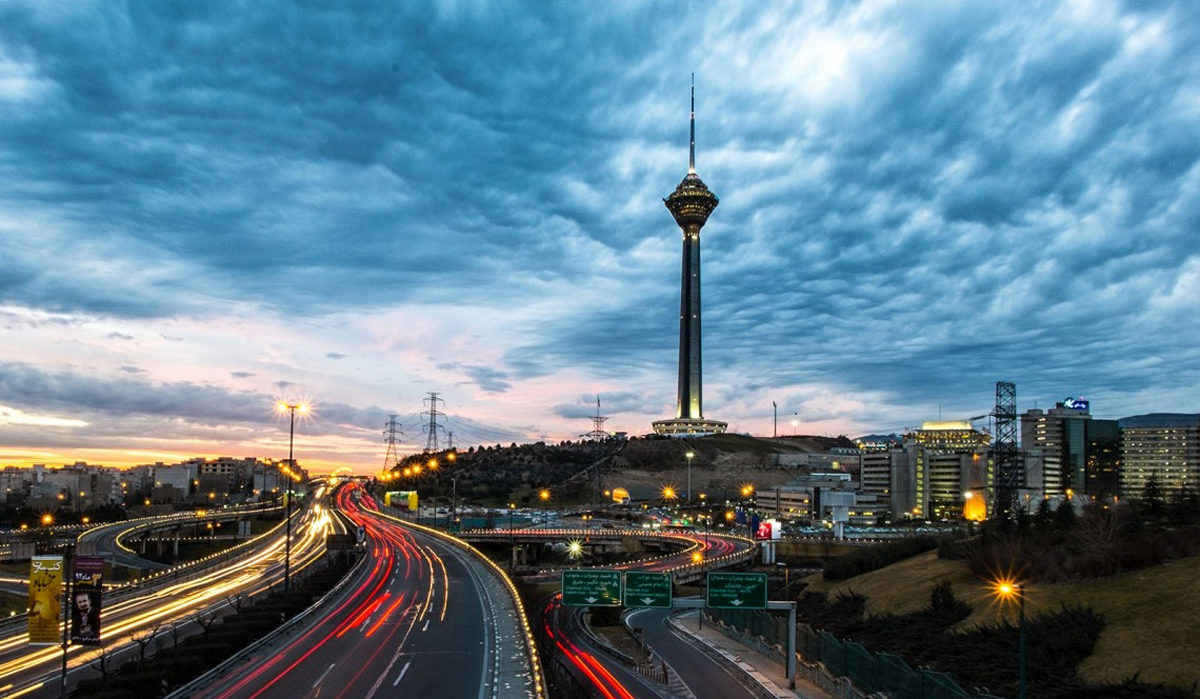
<point>167,600</point>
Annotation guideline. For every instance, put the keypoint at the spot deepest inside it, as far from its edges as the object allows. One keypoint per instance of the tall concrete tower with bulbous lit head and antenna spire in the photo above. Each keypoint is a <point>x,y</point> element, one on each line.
<point>691,205</point>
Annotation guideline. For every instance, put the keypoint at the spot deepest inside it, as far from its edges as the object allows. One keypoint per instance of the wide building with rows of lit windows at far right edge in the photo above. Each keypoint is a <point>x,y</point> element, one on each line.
<point>1163,447</point>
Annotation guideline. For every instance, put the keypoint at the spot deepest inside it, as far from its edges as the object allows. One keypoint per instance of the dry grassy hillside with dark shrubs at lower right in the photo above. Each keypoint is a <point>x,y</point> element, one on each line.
<point>1151,614</point>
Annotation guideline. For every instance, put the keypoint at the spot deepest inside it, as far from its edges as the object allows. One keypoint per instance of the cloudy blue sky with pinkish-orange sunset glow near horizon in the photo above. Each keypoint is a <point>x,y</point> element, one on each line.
<point>208,207</point>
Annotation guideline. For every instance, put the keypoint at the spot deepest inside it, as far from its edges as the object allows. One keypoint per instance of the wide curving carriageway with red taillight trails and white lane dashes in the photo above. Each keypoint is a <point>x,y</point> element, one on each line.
<point>425,618</point>
